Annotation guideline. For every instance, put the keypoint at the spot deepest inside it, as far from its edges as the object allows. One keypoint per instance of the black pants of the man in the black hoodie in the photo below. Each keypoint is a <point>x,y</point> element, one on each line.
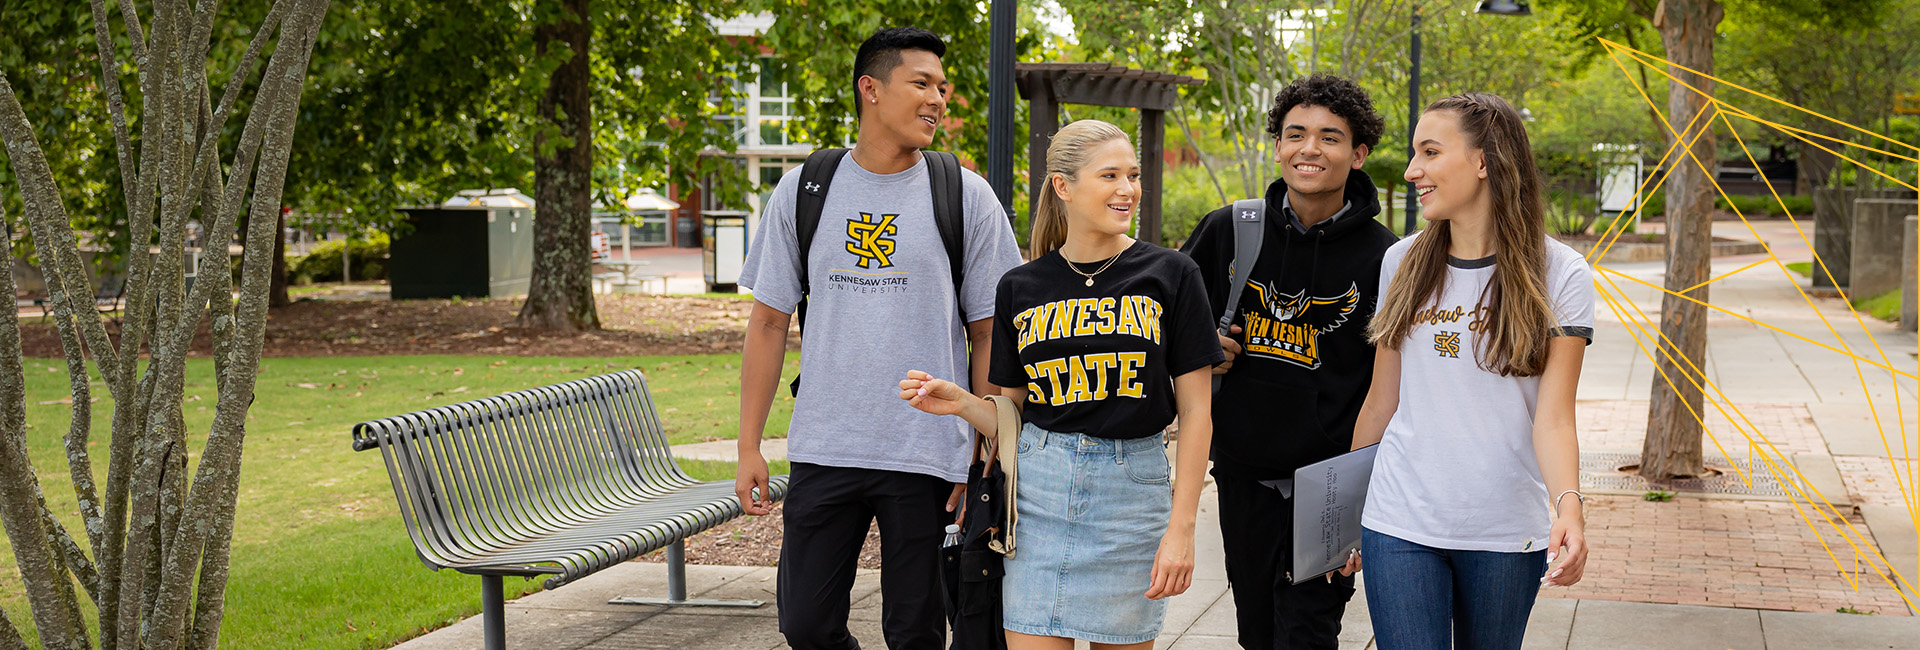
<point>1257,528</point>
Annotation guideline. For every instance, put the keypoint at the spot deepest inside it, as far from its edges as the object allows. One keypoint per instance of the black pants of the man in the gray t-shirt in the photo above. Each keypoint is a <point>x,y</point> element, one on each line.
<point>827,519</point>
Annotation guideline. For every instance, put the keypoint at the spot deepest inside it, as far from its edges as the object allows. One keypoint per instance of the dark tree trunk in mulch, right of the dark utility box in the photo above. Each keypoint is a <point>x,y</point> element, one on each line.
<point>562,290</point>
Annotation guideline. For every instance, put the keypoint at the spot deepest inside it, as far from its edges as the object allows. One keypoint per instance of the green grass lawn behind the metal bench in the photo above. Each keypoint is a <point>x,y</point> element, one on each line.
<point>322,559</point>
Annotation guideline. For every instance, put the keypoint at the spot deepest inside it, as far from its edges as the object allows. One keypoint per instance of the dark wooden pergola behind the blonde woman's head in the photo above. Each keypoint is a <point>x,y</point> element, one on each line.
<point>1051,85</point>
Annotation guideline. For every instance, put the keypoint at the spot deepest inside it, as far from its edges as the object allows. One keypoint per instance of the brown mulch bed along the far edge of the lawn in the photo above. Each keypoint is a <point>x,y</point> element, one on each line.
<point>631,325</point>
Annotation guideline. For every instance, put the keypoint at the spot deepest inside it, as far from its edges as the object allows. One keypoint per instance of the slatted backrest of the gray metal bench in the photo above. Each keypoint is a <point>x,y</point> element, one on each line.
<point>492,473</point>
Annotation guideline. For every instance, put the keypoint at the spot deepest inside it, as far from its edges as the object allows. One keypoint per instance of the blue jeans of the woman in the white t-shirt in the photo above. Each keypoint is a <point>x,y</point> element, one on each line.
<point>1424,599</point>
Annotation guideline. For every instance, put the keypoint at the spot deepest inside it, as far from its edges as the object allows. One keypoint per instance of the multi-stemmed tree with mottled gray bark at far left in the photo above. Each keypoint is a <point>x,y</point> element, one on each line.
<point>155,551</point>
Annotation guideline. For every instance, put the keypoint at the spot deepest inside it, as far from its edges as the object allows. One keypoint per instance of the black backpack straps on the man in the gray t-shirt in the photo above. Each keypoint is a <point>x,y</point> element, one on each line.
<point>817,177</point>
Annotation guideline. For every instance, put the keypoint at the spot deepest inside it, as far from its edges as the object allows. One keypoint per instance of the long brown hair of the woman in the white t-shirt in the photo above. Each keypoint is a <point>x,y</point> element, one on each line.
<point>1518,317</point>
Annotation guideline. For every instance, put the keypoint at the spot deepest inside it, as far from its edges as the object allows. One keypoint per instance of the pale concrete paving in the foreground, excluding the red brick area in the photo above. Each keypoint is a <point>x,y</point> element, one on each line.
<point>579,616</point>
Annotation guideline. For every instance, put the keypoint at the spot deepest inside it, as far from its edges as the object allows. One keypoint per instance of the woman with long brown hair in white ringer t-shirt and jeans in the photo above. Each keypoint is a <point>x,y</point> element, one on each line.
<point>1481,331</point>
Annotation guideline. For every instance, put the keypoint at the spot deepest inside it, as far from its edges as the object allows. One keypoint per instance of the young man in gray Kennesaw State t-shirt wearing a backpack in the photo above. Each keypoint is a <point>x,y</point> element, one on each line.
<point>882,302</point>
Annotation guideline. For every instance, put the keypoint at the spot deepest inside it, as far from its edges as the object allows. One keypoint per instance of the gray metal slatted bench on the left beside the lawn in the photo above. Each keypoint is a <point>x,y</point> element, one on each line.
<point>562,480</point>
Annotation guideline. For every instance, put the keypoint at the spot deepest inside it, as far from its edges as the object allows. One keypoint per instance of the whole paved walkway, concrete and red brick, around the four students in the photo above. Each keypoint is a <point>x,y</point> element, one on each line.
<point>1817,402</point>
